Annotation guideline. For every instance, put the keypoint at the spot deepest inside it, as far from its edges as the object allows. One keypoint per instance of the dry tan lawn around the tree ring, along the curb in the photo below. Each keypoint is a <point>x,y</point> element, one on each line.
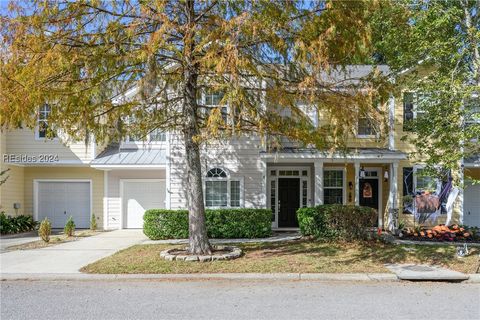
<point>297,257</point>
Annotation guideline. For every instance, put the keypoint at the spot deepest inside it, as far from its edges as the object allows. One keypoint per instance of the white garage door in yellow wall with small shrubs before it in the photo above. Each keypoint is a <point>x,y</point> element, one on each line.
<point>58,200</point>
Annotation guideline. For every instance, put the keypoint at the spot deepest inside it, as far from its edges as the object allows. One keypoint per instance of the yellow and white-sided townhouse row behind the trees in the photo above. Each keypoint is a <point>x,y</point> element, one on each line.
<point>119,182</point>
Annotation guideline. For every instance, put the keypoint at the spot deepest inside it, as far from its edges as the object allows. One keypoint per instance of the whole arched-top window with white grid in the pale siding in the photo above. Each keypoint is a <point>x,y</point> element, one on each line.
<point>221,190</point>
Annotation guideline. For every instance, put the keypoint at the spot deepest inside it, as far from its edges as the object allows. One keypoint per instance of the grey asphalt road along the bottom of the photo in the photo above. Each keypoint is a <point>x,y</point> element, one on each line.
<point>230,299</point>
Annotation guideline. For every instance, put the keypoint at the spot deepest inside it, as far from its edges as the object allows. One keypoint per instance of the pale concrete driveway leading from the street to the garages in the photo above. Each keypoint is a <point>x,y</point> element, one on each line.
<point>71,256</point>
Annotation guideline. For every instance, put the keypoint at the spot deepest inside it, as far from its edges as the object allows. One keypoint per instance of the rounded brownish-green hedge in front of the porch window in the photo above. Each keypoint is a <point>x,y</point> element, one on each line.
<point>336,221</point>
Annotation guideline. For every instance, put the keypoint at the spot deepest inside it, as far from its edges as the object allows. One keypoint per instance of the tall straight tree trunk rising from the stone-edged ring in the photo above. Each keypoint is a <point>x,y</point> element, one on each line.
<point>198,239</point>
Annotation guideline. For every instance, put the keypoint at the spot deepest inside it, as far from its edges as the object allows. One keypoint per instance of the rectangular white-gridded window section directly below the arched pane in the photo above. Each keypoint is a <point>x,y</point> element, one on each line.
<point>222,193</point>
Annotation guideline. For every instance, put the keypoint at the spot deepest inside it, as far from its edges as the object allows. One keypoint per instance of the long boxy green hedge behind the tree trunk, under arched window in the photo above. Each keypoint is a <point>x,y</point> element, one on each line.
<point>221,223</point>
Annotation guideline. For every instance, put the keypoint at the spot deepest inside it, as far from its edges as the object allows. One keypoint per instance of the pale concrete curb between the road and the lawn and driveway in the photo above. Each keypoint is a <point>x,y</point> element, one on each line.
<point>372,277</point>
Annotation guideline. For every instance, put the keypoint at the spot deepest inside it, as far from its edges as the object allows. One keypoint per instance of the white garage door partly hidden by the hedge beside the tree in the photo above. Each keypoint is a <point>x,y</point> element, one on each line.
<point>141,195</point>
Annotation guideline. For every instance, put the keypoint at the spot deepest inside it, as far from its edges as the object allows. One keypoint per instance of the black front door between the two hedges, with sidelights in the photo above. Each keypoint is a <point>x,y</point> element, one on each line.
<point>289,198</point>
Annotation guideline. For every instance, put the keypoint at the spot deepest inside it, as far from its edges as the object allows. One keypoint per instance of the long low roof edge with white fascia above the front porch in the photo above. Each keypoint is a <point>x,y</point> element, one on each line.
<point>363,154</point>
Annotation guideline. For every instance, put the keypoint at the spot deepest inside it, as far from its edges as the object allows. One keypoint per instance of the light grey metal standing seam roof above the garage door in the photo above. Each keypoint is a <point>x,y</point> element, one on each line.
<point>142,156</point>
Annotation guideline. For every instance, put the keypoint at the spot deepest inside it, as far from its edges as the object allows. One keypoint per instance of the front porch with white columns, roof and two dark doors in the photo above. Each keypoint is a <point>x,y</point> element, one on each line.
<point>304,178</point>
